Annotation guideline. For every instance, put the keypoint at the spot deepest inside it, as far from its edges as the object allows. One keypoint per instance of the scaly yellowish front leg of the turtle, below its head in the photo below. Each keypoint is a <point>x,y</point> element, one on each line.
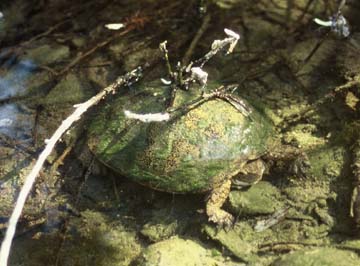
<point>214,203</point>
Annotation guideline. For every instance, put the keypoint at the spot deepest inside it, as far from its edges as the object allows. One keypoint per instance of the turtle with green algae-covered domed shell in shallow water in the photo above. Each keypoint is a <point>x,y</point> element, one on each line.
<point>205,146</point>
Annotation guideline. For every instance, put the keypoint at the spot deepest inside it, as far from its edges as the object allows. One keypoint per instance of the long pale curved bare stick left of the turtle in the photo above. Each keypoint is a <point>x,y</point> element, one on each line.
<point>30,179</point>
